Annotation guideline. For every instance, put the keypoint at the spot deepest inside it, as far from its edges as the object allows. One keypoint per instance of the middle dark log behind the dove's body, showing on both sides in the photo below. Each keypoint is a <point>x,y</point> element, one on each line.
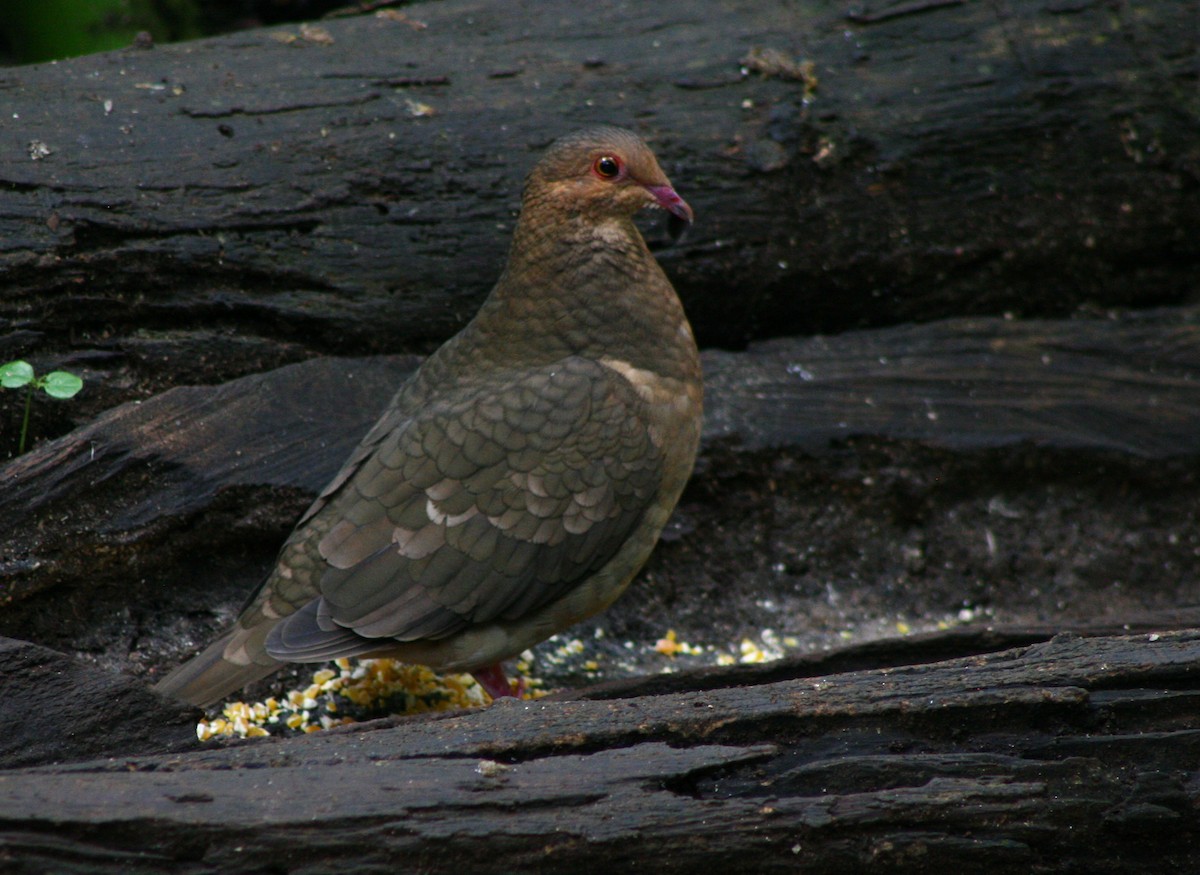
<point>133,538</point>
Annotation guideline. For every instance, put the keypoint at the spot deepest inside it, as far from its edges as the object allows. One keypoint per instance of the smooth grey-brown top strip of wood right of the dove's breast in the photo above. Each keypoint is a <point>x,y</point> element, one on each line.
<point>1125,383</point>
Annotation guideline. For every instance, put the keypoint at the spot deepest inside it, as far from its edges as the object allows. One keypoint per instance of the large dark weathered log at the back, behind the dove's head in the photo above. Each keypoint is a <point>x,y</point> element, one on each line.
<point>224,207</point>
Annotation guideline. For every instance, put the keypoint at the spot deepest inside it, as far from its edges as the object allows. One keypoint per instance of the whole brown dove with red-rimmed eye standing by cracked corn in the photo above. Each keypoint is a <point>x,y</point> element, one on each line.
<point>521,477</point>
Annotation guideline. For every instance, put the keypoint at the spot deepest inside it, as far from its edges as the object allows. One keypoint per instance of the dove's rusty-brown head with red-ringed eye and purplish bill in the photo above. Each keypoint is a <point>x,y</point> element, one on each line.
<point>604,173</point>
